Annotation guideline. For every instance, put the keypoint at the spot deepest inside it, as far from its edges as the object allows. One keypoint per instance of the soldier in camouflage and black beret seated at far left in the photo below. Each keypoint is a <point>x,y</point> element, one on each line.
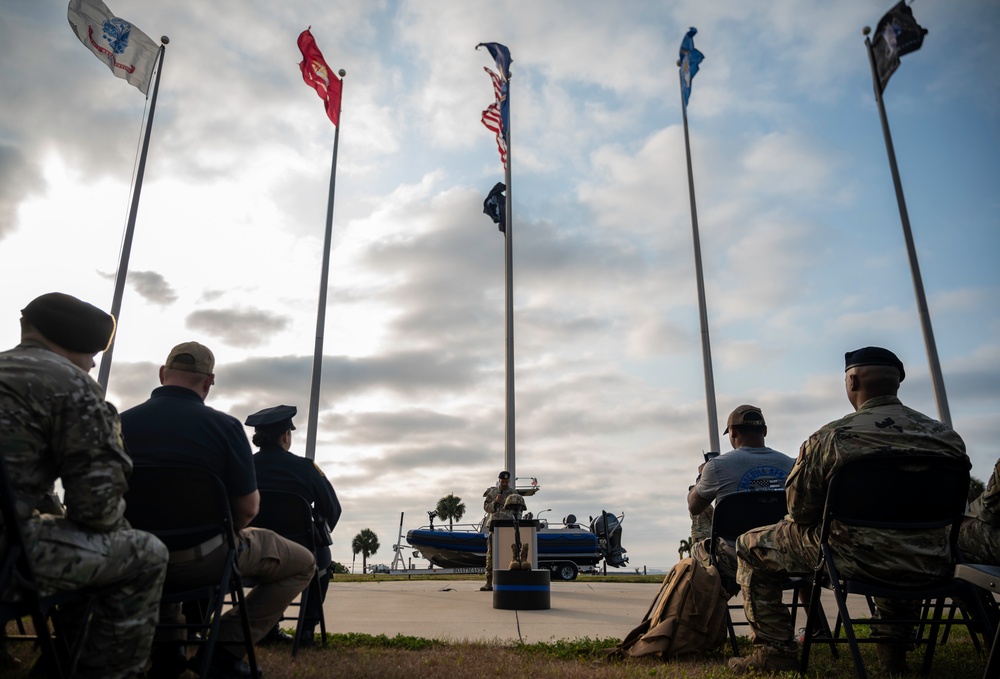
<point>54,423</point>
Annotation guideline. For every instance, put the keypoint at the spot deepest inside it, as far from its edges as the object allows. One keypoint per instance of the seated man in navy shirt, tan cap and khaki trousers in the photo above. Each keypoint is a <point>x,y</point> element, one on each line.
<point>175,427</point>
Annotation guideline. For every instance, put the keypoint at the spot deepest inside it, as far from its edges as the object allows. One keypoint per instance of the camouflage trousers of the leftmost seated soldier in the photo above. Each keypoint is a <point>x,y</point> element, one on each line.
<point>125,567</point>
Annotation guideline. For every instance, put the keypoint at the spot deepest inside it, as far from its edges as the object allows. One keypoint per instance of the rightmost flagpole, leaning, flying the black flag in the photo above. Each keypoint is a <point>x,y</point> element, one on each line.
<point>937,381</point>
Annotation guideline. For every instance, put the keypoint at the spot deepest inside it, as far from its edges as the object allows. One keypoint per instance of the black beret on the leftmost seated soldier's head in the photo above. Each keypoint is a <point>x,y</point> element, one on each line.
<point>71,323</point>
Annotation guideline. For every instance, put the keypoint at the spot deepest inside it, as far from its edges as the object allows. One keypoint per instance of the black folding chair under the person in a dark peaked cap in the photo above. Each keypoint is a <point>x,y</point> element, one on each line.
<point>290,516</point>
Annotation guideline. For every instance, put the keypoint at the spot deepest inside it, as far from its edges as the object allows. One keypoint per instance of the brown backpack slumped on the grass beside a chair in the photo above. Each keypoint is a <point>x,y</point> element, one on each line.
<point>687,616</point>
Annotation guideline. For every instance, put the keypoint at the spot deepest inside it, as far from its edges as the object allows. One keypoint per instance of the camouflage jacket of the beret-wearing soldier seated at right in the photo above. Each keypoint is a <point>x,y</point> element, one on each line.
<point>881,426</point>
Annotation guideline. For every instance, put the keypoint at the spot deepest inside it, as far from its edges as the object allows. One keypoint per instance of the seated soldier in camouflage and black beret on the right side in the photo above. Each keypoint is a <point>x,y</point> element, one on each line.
<point>881,425</point>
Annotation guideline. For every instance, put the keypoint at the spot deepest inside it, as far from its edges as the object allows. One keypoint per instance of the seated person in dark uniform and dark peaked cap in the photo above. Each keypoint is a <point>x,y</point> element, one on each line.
<point>279,469</point>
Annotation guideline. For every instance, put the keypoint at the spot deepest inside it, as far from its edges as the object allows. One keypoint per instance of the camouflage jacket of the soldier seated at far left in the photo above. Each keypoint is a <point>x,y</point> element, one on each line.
<point>54,423</point>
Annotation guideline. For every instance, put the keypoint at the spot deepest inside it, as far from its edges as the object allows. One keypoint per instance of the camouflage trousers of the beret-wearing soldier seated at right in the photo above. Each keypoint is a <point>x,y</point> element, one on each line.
<point>766,557</point>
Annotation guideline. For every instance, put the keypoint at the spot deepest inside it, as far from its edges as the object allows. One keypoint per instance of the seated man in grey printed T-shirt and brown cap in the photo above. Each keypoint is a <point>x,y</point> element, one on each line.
<point>749,466</point>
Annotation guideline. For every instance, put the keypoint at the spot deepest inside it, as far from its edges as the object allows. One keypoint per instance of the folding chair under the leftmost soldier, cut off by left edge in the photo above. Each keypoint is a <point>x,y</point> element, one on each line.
<point>58,654</point>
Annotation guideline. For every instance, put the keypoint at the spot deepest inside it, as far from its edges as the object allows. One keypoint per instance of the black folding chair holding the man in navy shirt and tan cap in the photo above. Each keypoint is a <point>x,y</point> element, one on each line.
<point>185,507</point>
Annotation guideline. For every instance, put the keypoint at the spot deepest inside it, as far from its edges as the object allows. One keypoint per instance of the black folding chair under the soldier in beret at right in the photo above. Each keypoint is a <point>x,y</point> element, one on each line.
<point>906,492</point>
